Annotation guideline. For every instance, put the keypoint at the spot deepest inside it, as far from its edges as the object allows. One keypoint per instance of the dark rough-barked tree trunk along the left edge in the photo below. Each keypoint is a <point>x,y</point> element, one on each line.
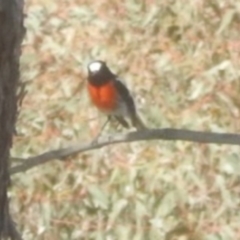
<point>11,34</point>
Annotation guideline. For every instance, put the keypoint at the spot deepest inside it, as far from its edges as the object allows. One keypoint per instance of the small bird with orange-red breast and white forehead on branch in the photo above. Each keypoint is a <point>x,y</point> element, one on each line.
<point>109,94</point>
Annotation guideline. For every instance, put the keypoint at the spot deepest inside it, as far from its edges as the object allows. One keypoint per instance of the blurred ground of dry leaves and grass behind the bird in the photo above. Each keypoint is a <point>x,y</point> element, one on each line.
<point>181,61</point>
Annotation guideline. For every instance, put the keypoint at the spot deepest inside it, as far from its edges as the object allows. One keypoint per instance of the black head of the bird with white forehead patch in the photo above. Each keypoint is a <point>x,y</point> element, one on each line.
<point>99,73</point>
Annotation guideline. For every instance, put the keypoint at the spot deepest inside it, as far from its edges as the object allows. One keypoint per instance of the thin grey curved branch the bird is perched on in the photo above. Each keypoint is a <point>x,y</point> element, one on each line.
<point>145,135</point>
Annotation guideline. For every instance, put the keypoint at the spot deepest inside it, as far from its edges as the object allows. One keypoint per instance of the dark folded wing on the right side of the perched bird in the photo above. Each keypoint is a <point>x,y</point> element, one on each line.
<point>126,96</point>
